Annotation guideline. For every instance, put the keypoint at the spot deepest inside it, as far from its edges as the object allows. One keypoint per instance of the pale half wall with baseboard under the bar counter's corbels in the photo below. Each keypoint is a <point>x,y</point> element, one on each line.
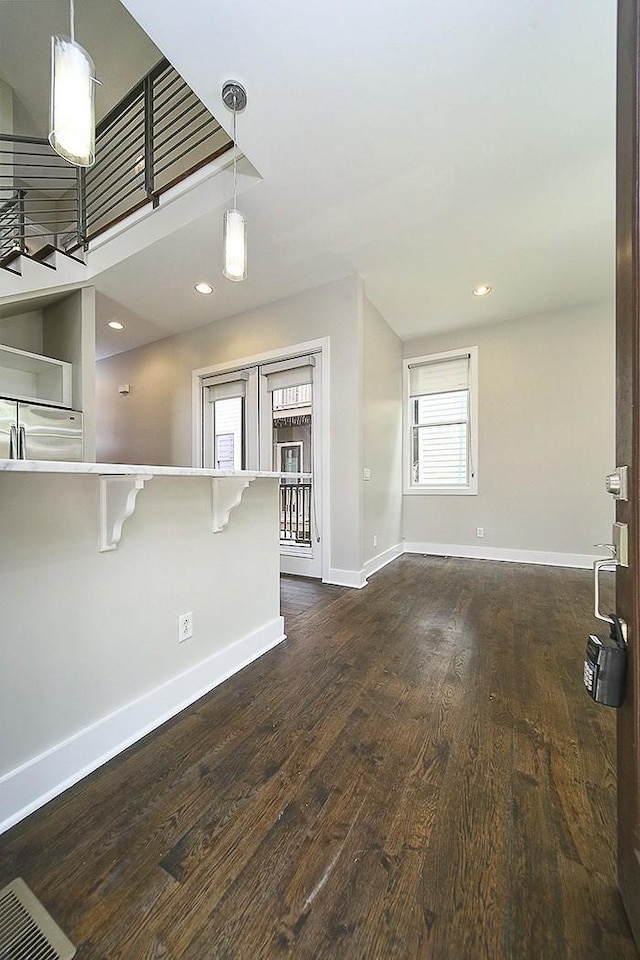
<point>90,654</point>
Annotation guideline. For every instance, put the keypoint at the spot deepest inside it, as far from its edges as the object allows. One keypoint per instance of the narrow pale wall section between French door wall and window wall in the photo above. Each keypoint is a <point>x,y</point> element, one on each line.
<point>381,434</point>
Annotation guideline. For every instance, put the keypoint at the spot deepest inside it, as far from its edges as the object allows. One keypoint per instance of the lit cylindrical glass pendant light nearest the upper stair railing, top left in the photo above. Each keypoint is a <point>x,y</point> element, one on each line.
<point>72,118</point>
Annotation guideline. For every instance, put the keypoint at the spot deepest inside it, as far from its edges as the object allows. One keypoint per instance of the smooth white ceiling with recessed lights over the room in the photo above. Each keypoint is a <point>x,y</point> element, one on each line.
<point>428,146</point>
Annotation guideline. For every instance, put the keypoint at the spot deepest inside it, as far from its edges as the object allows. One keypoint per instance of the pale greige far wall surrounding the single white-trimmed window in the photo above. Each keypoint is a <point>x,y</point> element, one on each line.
<point>546,437</point>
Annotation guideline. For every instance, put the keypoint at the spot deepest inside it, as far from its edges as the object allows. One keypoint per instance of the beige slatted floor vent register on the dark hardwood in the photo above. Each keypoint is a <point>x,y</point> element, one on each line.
<point>27,931</point>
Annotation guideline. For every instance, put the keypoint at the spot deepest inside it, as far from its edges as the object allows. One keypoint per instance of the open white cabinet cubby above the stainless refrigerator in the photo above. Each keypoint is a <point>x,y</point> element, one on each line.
<point>29,376</point>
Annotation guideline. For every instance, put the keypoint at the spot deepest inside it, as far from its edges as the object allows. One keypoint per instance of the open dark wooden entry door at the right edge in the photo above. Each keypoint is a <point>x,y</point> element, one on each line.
<point>628,444</point>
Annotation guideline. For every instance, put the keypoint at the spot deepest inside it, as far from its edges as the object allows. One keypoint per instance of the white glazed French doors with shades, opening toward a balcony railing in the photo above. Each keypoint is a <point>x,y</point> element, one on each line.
<point>268,417</point>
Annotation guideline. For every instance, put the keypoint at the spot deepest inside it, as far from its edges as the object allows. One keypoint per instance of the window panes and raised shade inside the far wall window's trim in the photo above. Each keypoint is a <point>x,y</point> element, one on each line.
<point>440,403</point>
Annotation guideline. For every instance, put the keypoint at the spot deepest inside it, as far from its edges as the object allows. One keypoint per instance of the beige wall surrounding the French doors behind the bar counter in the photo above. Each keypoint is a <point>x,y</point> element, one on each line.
<point>153,423</point>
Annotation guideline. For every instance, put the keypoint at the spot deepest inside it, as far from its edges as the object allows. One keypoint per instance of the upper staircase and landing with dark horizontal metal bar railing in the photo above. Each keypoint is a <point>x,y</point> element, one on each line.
<point>158,136</point>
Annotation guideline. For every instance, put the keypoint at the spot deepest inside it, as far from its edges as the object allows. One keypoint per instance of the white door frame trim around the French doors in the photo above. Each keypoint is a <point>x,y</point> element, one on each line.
<point>322,346</point>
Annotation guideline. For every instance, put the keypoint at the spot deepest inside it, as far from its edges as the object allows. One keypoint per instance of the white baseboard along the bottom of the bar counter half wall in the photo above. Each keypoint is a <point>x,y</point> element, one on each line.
<point>42,778</point>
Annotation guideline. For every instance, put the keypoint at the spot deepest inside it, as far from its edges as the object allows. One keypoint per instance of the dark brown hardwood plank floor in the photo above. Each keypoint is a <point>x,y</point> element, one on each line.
<point>416,772</point>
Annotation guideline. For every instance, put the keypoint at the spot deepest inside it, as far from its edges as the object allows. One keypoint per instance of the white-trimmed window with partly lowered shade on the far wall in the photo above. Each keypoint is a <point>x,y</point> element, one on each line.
<point>441,429</point>
